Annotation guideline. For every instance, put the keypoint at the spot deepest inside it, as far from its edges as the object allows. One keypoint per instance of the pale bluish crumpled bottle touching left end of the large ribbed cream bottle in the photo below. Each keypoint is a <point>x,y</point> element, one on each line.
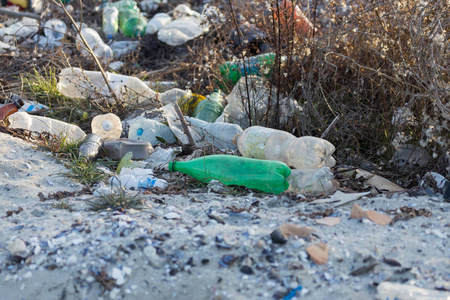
<point>220,134</point>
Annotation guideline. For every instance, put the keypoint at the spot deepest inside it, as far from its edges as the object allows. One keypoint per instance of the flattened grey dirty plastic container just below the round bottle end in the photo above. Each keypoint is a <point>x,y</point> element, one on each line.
<point>117,148</point>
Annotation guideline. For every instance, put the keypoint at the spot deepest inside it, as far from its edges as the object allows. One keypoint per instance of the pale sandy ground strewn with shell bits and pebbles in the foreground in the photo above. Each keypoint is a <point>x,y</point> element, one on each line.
<point>172,249</point>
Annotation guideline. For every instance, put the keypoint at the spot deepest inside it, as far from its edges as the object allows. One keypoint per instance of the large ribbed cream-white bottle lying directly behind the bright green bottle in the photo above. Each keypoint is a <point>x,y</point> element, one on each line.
<point>305,152</point>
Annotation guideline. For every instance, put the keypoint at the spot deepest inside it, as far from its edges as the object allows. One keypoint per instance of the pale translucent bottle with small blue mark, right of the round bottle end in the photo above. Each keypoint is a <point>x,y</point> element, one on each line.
<point>150,130</point>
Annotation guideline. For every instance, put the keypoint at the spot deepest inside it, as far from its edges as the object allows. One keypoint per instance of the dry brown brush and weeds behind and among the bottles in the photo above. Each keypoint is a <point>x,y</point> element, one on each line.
<point>382,66</point>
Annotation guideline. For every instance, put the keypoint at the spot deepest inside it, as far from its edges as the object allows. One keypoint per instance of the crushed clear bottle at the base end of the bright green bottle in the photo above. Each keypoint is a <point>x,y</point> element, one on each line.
<point>310,181</point>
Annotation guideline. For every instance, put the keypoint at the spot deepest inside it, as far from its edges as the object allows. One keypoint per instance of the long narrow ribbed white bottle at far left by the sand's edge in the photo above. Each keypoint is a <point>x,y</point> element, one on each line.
<point>23,120</point>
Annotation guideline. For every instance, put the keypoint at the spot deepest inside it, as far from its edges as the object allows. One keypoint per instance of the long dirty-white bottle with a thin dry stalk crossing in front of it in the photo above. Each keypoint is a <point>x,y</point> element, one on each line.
<point>78,83</point>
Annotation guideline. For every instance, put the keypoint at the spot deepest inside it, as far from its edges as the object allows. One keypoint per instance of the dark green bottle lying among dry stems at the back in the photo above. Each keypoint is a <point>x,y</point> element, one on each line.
<point>231,72</point>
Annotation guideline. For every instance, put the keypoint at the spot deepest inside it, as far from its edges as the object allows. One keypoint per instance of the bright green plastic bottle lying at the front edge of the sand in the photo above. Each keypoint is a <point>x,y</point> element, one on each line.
<point>268,176</point>
